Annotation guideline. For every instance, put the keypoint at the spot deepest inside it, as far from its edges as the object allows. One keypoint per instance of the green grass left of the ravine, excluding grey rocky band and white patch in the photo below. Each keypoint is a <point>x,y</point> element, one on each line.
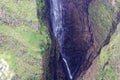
<point>22,46</point>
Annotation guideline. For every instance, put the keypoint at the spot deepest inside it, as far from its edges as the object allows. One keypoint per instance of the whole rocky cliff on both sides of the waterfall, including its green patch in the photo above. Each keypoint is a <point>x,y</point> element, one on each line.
<point>88,25</point>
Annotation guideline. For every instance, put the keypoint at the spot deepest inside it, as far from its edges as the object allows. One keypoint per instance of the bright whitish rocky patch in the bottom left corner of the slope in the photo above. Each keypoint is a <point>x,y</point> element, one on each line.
<point>5,73</point>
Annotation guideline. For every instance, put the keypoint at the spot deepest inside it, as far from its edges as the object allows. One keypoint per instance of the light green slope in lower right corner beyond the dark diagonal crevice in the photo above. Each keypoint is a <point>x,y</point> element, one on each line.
<point>110,54</point>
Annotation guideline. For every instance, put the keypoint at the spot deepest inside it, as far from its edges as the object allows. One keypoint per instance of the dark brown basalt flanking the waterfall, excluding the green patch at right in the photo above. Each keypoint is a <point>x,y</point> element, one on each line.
<point>80,45</point>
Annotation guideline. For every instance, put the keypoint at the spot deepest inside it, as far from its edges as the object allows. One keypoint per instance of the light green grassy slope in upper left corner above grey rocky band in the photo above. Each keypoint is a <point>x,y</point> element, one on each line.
<point>23,9</point>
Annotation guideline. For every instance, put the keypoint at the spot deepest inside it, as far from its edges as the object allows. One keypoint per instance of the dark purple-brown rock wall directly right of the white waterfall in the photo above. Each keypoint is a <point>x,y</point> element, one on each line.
<point>78,33</point>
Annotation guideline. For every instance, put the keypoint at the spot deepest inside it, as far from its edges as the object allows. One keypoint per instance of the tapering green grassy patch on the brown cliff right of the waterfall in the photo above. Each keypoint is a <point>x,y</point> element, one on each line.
<point>103,17</point>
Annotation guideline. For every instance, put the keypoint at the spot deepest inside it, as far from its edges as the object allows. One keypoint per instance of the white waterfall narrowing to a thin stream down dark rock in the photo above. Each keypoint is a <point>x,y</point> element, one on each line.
<point>58,30</point>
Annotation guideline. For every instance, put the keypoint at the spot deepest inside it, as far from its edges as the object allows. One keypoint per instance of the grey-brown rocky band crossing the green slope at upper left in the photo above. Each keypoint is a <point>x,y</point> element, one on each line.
<point>13,21</point>
